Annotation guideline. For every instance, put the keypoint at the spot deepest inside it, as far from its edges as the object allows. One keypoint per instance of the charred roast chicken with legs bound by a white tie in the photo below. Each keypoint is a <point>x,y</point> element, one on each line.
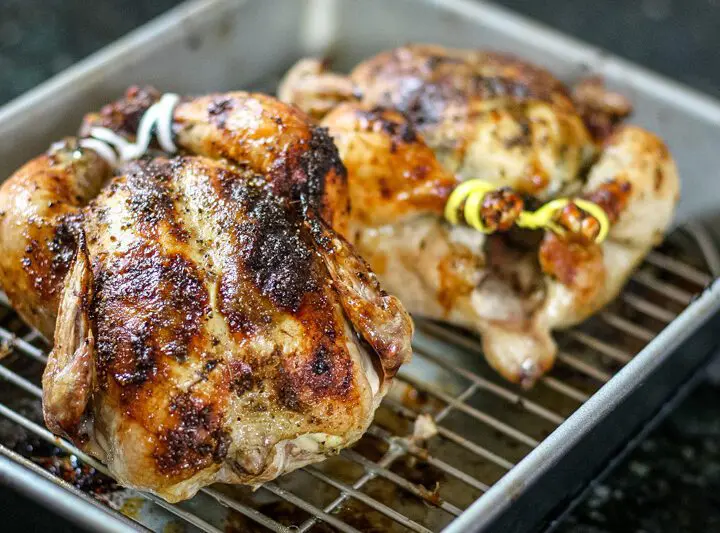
<point>209,323</point>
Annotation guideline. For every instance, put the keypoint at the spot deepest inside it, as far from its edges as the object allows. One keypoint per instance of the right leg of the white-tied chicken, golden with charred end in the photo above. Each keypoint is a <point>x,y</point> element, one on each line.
<point>274,140</point>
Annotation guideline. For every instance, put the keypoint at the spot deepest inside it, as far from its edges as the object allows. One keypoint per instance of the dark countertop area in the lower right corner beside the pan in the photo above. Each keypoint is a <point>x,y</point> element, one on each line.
<point>668,484</point>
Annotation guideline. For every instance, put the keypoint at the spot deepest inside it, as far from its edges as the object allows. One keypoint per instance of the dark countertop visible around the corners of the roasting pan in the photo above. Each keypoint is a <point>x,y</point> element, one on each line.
<point>669,483</point>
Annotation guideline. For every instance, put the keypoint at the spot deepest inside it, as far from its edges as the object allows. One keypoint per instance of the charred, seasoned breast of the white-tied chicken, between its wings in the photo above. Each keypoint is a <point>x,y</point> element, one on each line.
<point>233,319</point>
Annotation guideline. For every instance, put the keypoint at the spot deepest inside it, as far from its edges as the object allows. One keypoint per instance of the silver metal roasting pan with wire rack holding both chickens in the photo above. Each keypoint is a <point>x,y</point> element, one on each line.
<point>505,459</point>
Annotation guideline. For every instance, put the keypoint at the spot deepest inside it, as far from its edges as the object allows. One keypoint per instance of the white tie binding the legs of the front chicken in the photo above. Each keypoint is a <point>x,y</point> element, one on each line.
<point>116,149</point>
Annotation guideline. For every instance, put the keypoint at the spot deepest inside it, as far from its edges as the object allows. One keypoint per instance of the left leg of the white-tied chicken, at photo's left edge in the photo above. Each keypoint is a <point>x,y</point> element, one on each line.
<point>39,221</point>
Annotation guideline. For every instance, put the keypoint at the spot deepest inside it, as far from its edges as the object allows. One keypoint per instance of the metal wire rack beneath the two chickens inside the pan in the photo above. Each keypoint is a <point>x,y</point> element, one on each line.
<point>389,481</point>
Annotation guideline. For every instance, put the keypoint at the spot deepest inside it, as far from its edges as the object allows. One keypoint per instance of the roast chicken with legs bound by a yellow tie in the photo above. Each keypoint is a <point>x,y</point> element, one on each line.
<point>413,123</point>
